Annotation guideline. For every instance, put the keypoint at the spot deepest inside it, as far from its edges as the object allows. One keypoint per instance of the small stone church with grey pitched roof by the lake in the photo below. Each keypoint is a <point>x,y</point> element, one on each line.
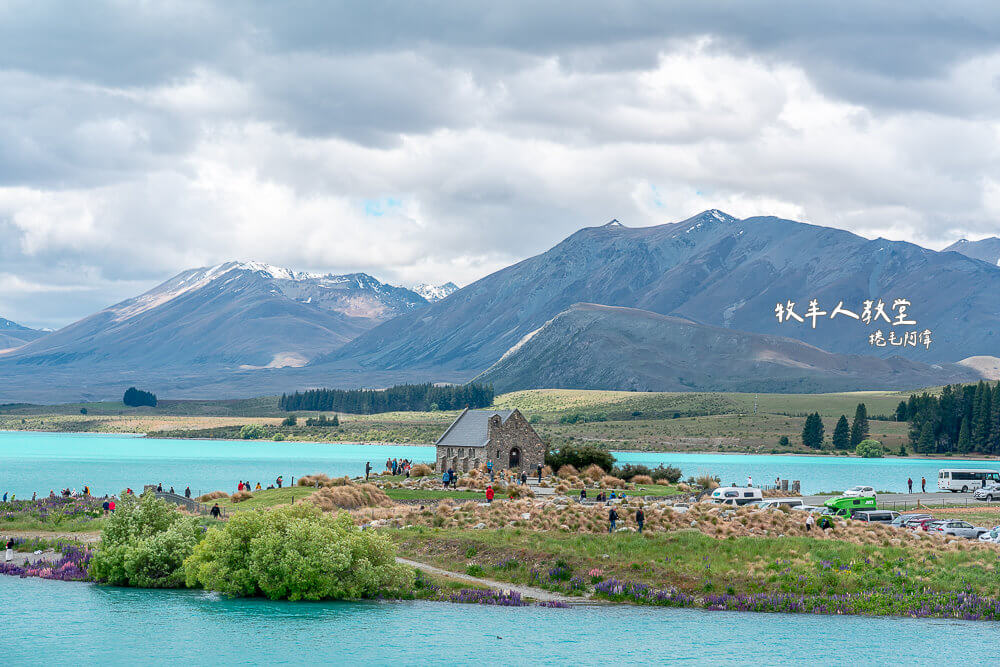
<point>502,436</point>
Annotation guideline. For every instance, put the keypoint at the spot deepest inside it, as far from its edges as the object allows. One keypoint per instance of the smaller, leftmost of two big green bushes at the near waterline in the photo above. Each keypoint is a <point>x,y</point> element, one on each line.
<point>144,544</point>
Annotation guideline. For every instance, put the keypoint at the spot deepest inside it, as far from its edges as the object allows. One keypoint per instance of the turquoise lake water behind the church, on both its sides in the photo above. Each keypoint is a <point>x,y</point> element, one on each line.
<point>38,462</point>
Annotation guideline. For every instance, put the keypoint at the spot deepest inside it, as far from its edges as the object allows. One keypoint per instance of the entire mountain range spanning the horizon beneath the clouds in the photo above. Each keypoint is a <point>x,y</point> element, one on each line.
<point>689,305</point>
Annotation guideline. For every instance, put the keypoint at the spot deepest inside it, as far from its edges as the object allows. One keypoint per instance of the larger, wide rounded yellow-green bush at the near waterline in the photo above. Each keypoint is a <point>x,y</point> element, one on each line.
<point>297,553</point>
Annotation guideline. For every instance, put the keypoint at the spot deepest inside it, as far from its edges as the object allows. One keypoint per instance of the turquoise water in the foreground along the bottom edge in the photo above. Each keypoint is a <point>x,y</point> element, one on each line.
<point>57,622</point>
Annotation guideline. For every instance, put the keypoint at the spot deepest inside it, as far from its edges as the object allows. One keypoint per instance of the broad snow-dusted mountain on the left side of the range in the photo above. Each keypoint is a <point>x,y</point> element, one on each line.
<point>233,315</point>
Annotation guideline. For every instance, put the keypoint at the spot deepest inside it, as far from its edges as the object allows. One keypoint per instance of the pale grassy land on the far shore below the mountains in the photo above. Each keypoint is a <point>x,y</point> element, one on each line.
<point>613,419</point>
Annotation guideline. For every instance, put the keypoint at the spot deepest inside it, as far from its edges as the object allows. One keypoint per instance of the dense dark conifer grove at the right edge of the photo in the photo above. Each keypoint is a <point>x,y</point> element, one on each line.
<point>963,419</point>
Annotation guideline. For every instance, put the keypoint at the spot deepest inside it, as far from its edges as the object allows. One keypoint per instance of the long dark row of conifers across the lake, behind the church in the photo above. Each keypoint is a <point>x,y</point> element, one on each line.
<point>400,398</point>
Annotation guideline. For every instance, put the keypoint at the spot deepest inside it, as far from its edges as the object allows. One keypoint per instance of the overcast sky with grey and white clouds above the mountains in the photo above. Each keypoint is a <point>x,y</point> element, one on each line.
<point>434,141</point>
